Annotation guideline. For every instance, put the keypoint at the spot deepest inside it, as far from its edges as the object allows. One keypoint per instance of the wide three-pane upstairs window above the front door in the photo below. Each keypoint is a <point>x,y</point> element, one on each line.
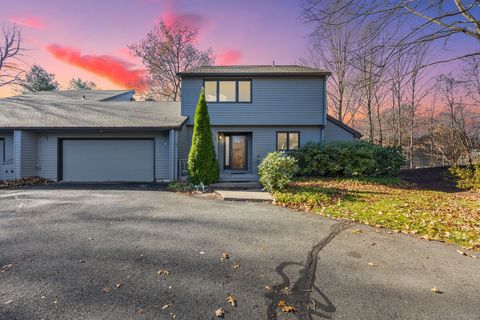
<point>228,91</point>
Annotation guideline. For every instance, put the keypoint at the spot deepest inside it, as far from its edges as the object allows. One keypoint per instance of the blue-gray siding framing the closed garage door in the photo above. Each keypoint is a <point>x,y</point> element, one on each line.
<point>48,151</point>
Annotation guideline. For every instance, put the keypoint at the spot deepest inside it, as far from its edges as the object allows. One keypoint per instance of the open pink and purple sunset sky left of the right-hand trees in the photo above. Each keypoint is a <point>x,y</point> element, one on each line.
<point>89,38</point>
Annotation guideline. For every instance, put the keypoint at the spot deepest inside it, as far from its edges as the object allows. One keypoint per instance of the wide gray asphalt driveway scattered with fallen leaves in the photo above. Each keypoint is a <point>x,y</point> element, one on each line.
<point>80,252</point>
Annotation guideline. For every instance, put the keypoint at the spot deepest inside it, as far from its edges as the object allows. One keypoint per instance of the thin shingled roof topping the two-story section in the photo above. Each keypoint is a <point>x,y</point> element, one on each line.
<point>257,70</point>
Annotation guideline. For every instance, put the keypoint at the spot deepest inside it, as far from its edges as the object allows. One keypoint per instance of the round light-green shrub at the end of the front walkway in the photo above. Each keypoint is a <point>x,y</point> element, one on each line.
<point>277,170</point>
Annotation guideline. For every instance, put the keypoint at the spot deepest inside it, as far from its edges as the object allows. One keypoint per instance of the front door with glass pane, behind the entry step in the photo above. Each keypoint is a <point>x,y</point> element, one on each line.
<point>236,151</point>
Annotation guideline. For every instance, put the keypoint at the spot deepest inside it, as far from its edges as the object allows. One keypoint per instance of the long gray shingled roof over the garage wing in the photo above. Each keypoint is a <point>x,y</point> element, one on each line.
<point>50,111</point>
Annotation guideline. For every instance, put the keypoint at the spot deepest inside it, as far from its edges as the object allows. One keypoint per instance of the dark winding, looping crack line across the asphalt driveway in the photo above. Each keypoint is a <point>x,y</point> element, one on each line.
<point>300,295</point>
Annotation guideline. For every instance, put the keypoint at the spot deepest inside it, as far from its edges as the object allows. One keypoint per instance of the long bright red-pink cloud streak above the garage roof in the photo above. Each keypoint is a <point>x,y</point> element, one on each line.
<point>118,71</point>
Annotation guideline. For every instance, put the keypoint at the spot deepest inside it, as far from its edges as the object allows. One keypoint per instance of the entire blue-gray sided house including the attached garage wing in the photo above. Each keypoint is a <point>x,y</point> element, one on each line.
<point>101,136</point>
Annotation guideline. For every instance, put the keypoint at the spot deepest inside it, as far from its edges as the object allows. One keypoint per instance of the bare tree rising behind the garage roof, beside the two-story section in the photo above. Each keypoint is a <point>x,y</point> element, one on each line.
<point>167,50</point>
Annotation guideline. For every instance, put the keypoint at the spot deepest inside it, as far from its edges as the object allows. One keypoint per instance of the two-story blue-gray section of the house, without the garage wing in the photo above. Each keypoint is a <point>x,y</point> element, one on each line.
<point>255,110</point>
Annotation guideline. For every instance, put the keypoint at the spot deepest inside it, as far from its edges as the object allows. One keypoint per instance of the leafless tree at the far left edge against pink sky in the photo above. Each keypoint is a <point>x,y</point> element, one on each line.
<point>10,53</point>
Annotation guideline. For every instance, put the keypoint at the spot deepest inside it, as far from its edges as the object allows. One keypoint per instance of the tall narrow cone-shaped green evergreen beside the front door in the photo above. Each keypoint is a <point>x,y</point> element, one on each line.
<point>202,160</point>
